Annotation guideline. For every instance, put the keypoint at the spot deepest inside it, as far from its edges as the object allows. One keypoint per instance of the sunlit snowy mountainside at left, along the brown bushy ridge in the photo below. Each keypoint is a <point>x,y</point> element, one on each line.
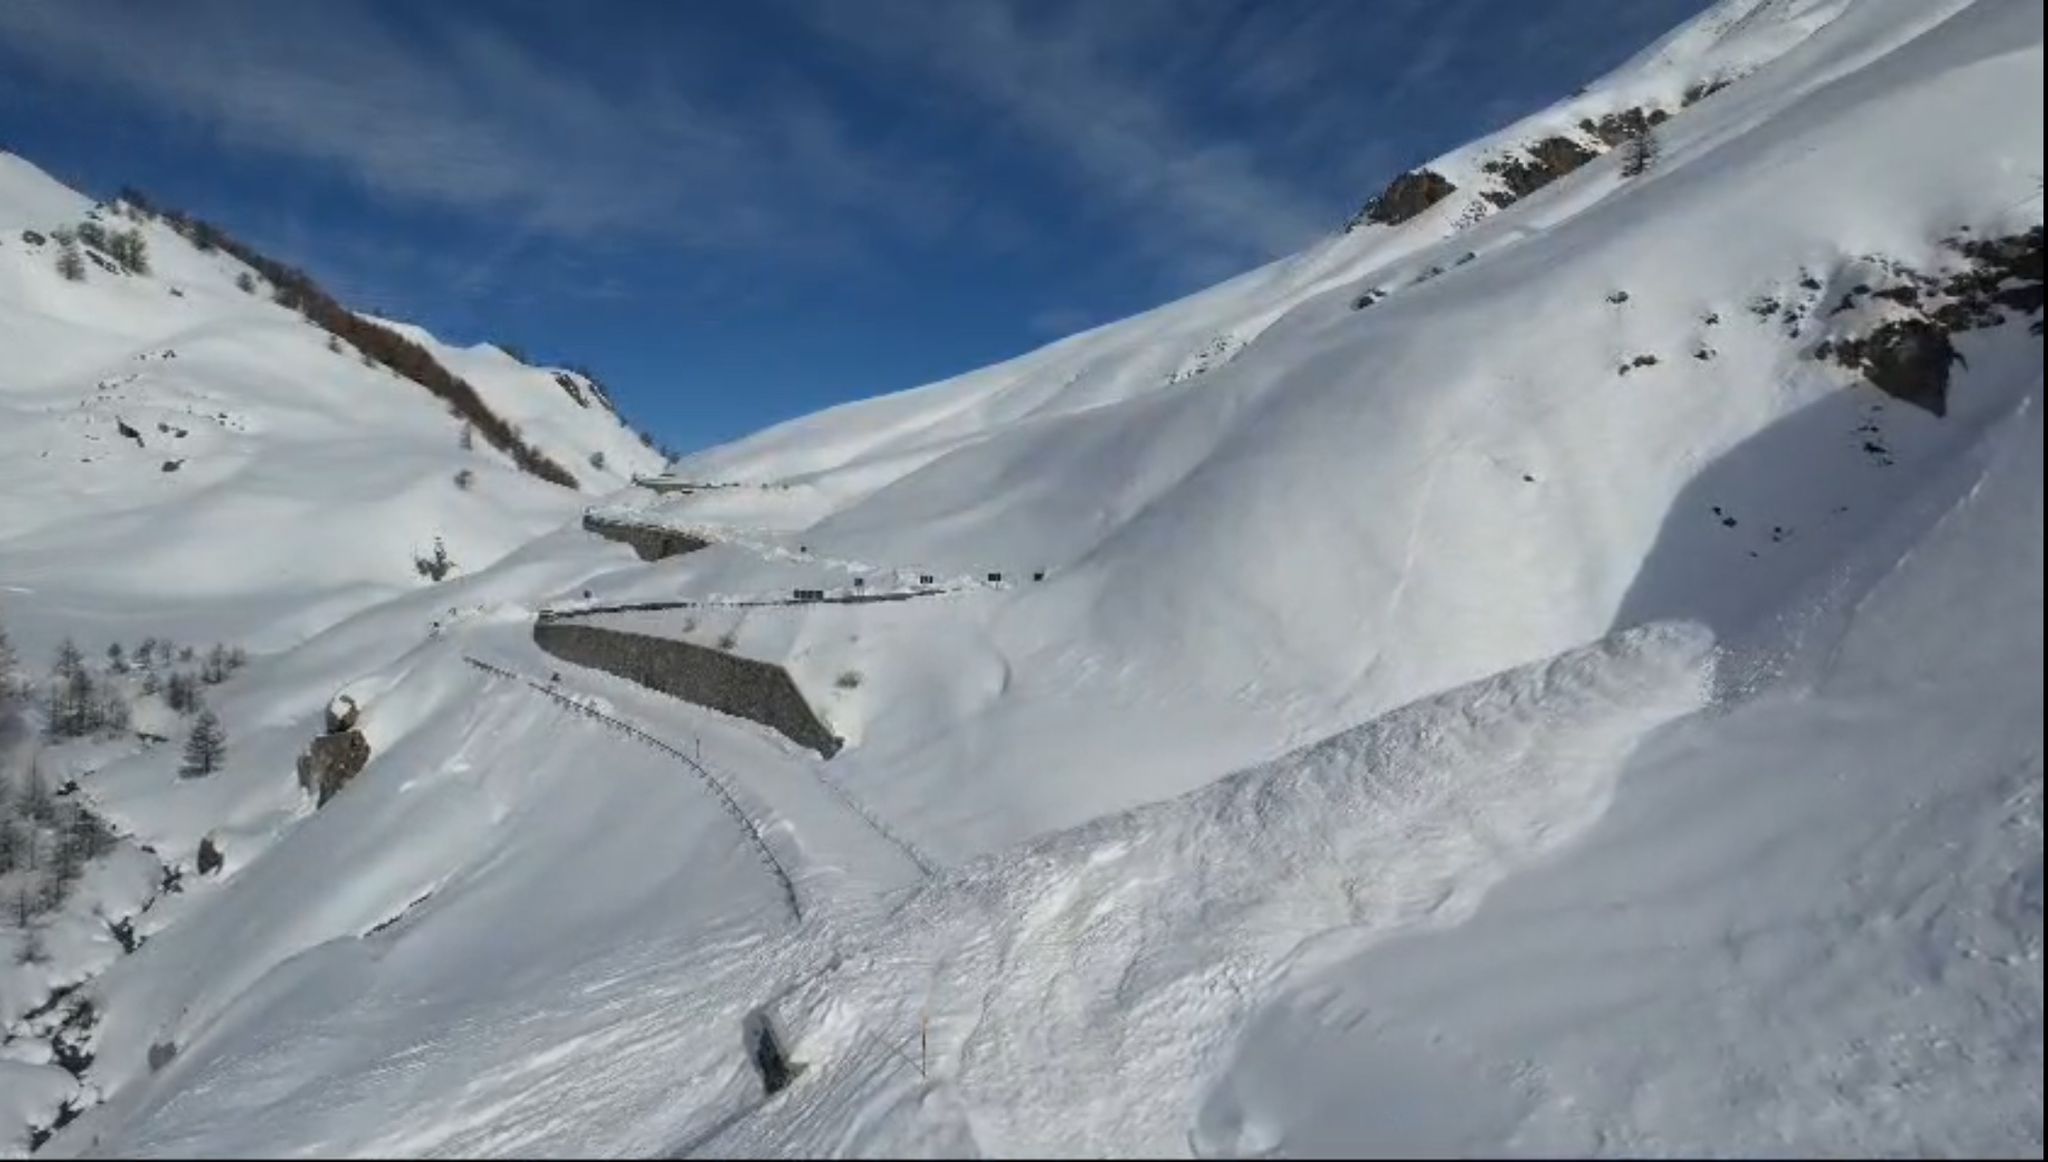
<point>271,481</point>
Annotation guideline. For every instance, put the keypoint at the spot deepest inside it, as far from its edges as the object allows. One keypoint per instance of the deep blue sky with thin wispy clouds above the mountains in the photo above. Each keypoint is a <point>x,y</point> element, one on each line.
<point>742,212</point>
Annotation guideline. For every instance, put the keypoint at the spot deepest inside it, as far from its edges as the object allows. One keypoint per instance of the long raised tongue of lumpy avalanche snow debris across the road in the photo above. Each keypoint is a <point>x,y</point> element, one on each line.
<point>1076,991</point>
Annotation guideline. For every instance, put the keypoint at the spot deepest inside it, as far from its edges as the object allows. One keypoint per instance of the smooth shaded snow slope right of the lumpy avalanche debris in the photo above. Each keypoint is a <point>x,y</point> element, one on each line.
<point>1809,925</point>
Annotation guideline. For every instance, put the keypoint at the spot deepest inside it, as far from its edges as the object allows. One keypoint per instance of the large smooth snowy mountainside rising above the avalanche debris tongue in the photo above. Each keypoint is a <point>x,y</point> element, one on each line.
<point>1451,446</point>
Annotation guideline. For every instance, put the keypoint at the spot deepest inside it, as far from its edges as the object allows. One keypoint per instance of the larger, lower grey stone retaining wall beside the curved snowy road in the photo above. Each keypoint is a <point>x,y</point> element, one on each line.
<point>742,688</point>
